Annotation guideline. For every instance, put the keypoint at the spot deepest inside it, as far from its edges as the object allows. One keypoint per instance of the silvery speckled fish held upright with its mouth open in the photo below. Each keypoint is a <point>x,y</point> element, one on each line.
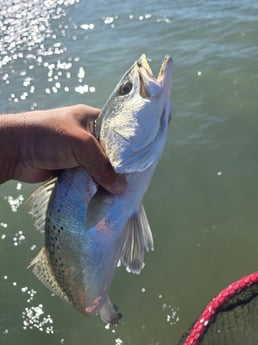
<point>88,231</point>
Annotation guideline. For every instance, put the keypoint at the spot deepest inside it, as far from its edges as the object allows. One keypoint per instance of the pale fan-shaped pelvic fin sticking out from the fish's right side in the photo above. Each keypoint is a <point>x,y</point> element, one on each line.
<point>138,237</point>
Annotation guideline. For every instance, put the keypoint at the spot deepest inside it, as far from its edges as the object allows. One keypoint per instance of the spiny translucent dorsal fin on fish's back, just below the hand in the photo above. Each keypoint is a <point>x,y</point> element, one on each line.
<point>38,203</point>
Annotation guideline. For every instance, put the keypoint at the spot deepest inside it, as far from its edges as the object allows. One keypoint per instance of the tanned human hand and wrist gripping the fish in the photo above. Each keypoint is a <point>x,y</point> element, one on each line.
<point>36,144</point>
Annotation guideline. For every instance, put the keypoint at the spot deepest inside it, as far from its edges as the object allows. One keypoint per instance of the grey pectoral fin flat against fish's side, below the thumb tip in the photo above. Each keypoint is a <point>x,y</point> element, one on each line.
<point>98,207</point>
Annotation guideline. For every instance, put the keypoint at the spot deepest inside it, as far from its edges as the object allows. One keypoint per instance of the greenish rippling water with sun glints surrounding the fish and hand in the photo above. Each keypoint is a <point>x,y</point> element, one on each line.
<point>202,203</point>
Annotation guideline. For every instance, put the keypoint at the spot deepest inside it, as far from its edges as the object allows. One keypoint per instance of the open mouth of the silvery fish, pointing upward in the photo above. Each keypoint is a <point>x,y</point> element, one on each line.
<point>149,85</point>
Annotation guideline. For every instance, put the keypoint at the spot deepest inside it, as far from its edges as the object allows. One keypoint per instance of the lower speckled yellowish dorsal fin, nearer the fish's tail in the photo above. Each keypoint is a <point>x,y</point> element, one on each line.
<point>42,269</point>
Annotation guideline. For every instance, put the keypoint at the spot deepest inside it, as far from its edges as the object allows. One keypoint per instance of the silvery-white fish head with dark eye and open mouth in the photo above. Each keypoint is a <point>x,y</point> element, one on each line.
<point>132,125</point>
